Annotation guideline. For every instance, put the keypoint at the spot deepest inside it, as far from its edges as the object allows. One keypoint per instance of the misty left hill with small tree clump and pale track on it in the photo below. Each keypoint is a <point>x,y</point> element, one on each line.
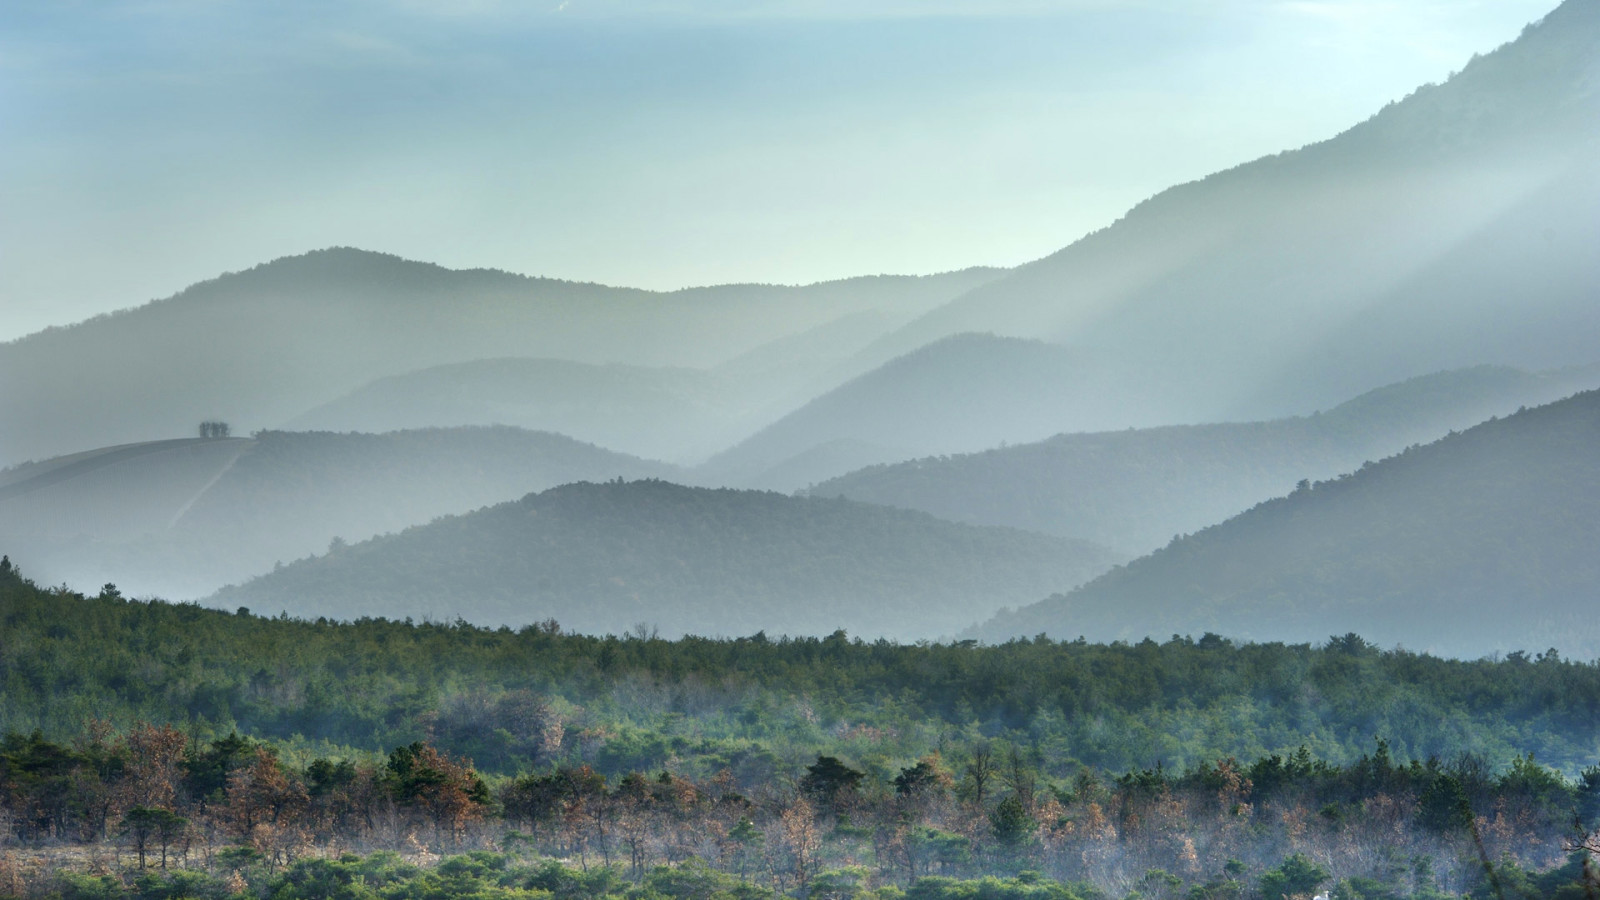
<point>183,518</point>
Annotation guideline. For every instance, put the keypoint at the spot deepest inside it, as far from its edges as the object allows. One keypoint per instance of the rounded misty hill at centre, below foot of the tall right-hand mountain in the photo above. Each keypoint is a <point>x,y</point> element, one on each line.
<point>961,393</point>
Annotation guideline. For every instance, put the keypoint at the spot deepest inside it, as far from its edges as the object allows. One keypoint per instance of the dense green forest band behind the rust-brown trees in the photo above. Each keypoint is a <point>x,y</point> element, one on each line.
<point>759,705</point>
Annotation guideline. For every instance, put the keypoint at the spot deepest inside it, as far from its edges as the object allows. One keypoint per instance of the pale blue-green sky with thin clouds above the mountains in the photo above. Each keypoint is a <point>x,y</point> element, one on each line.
<point>150,145</point>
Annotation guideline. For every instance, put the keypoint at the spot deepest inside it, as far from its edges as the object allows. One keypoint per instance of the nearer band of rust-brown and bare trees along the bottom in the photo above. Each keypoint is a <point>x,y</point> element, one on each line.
<point>1271,829</point>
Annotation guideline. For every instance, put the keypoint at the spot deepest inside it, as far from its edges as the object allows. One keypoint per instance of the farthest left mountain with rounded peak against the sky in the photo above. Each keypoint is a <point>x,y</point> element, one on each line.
<point>262,347</point>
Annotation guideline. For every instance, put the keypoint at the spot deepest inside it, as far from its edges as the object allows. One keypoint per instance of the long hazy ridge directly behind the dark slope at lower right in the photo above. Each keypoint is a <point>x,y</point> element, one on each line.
<point>1137,489</point>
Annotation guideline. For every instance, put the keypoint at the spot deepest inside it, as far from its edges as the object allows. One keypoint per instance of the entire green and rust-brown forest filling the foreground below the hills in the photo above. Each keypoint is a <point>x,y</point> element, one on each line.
<point>196,753</point>
